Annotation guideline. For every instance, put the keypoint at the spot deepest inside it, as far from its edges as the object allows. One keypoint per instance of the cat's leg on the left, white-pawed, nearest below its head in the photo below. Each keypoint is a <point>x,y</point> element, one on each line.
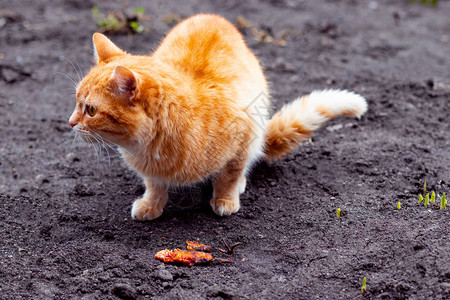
<point>152,203</point>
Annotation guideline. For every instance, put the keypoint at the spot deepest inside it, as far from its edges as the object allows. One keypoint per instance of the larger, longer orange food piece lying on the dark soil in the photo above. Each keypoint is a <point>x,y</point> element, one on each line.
<point>187,257</point>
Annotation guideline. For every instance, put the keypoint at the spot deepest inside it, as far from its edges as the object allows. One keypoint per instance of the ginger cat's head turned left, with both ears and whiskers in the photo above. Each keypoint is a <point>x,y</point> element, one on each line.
<point>109,102</point>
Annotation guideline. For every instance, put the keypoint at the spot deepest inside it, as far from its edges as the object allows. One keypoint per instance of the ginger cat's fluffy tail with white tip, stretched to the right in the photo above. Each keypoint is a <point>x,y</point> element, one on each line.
<point>296,121</point>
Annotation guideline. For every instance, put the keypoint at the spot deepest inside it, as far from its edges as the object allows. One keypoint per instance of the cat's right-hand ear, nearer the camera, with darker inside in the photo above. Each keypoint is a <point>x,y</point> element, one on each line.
<point>123,83</point>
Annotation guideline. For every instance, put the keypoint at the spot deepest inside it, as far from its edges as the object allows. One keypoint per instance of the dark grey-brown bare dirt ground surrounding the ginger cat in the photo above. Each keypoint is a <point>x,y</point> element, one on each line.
<point>65,225</point>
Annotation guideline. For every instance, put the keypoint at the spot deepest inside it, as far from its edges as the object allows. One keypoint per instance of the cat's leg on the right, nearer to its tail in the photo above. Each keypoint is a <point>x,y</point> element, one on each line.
<point>227,186</point>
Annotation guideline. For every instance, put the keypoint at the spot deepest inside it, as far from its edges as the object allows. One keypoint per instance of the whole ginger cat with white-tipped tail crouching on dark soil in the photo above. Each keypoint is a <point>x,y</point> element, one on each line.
<point>196,108</point>
